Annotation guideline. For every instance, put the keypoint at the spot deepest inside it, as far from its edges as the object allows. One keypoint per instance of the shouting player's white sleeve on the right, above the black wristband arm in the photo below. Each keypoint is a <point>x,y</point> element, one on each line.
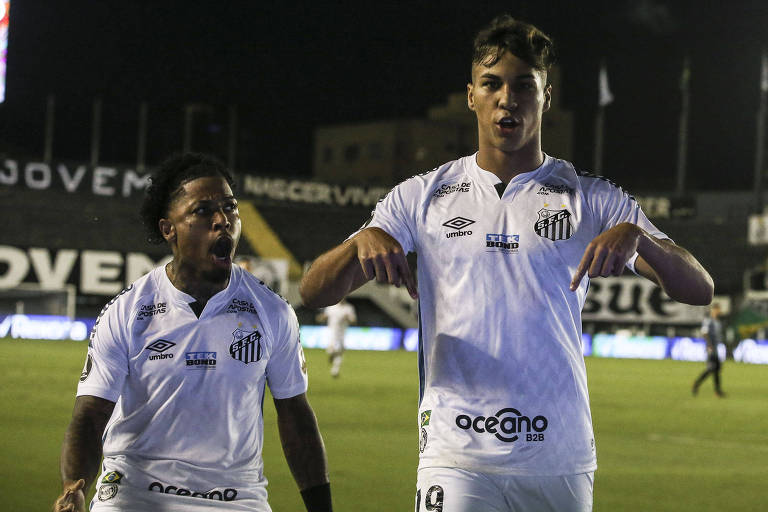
<point>287,368</point>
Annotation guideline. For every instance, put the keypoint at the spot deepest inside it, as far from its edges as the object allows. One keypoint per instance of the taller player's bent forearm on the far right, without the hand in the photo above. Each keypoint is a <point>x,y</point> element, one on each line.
<point>680,275</point>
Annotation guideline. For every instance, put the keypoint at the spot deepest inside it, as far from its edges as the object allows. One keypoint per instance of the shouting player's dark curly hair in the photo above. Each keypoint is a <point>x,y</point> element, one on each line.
<point>165,183</point>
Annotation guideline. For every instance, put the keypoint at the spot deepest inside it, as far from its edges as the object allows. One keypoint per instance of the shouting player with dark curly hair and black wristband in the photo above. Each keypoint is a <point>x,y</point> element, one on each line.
<point>173,386</point>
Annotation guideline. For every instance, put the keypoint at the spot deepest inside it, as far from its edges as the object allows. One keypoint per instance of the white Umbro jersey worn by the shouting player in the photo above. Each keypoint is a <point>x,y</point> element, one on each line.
<point>189,391</point>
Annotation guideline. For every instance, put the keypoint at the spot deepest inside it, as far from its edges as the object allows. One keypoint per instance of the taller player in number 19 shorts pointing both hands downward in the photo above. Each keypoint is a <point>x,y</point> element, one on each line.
<point>504,239</point>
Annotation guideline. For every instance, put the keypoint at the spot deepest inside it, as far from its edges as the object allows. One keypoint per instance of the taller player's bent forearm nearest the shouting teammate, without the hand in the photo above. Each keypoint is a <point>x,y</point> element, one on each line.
<point>332,276</point>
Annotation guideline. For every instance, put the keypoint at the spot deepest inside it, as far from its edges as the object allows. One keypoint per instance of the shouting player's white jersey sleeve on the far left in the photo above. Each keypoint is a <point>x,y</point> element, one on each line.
<point>106,364</point>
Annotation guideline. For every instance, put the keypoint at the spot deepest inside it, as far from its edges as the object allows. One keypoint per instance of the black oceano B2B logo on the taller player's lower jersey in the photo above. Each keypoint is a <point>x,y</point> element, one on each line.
<point>507,425</point>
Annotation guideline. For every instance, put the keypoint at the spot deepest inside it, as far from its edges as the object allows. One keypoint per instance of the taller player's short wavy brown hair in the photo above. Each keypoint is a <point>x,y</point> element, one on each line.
<point>521,39</point>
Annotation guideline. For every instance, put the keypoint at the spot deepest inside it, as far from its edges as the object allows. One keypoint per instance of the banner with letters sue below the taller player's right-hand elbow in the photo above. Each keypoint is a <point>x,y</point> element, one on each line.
<point>635,300</point>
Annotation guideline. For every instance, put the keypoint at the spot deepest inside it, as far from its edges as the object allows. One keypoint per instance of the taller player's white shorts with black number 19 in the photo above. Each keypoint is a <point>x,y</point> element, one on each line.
<point>457,490</point>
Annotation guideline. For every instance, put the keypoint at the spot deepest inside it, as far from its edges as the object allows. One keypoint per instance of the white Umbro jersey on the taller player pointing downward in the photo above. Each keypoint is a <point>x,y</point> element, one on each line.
<point>503,381</point>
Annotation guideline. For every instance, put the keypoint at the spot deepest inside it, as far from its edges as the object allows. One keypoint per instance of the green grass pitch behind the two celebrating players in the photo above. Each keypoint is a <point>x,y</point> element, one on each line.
<point>659,448</point>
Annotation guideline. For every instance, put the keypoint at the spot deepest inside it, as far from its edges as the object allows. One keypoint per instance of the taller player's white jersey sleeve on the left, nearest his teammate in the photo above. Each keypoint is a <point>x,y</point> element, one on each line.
<point>395,213</point>
